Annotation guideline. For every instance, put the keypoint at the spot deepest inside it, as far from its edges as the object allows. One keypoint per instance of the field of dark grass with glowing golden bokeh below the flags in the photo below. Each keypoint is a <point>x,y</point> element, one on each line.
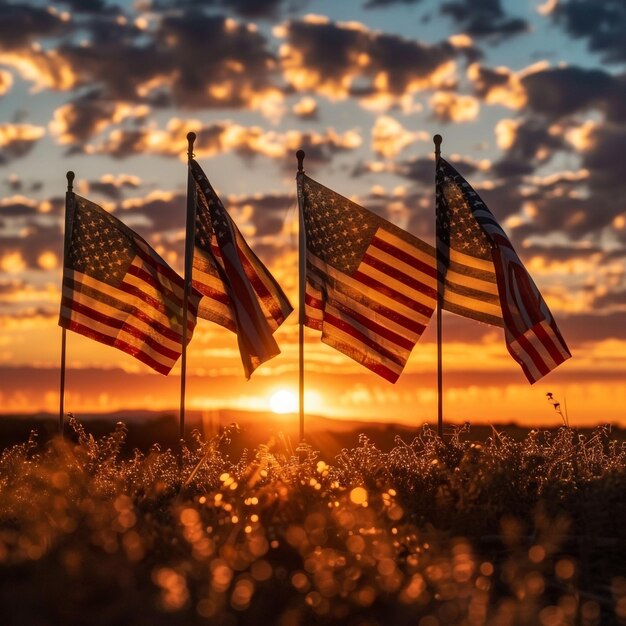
<point>428,533</point>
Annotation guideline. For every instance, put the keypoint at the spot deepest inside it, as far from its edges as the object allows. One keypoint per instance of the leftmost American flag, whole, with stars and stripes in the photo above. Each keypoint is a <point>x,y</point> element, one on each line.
<point>117,290</point>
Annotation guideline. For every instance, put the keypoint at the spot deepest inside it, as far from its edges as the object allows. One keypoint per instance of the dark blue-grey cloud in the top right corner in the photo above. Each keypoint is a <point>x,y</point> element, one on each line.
<point>602,24</point>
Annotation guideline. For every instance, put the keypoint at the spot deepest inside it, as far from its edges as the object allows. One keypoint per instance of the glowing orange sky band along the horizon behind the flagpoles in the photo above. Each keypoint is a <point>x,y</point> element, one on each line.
<point>482,383</point>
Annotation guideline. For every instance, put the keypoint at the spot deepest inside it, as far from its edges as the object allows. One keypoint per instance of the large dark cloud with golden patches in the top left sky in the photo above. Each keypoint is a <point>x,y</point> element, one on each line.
<point>187,59</point>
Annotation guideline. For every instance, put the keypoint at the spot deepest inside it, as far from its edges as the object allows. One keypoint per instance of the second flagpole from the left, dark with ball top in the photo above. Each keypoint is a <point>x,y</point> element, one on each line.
<point>189,245</point>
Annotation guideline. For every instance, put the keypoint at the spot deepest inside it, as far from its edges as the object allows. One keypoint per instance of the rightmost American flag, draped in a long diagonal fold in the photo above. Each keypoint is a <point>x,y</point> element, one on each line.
<point>484,279</point>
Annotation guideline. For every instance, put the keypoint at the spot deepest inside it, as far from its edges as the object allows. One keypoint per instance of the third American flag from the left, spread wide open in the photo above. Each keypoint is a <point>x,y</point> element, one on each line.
<point>371,287</point>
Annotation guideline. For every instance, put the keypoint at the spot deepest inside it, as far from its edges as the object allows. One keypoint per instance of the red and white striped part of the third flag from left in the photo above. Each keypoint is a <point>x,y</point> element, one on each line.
<point>376,315</point>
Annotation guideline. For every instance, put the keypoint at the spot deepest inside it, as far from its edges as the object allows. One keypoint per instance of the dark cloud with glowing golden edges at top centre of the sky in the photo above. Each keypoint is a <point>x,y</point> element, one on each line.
<point>342,59</point>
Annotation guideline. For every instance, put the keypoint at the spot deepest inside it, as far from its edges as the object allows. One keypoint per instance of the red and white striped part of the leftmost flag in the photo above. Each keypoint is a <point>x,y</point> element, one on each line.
<point>138,316</point>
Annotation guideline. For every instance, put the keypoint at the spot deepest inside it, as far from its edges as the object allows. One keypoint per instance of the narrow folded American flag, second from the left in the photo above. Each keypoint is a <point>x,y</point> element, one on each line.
<point>238,291</point>
